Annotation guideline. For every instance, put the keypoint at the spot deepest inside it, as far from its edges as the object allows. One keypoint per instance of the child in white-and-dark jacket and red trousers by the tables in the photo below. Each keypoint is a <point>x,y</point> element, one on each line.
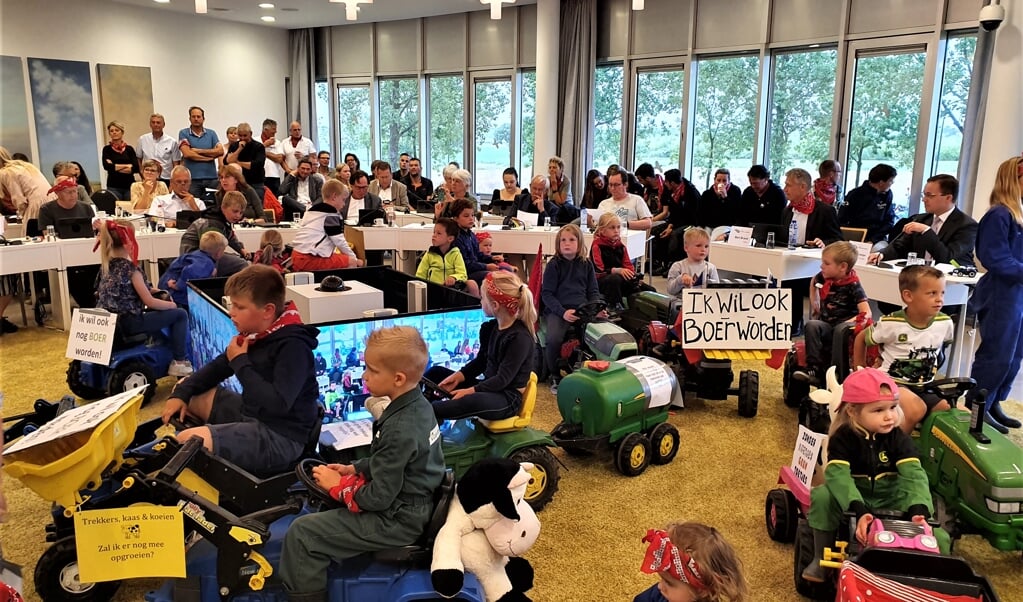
<point>321,243</point>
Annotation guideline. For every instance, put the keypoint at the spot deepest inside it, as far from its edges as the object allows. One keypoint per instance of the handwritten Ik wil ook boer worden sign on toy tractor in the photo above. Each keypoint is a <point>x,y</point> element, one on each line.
<point>736,319</point>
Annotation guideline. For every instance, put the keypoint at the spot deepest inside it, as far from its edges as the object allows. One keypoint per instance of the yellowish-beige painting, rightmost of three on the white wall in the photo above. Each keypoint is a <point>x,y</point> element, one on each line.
<point>126,96</point>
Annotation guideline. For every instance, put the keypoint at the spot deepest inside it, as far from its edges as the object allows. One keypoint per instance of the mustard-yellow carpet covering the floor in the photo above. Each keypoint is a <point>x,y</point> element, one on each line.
<point>590,548</point>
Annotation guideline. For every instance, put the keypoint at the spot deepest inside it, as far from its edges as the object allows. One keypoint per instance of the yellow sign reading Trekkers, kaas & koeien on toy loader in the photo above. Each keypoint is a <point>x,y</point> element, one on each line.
<point>128,543</point>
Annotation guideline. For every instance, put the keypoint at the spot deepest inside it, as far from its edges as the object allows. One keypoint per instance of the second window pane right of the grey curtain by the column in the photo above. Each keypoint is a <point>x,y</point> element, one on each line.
<point>659,118</point>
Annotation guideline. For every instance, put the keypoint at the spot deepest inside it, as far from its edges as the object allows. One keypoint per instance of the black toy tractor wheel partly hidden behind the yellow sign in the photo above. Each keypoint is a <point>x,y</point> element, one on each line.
<point>57,577</point>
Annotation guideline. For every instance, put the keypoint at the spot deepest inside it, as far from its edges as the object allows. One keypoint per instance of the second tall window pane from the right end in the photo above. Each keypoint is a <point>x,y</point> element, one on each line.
<point>886,100</point>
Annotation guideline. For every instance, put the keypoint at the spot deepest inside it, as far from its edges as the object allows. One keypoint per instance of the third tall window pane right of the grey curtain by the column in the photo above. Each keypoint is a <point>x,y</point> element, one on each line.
<point>725,131</point>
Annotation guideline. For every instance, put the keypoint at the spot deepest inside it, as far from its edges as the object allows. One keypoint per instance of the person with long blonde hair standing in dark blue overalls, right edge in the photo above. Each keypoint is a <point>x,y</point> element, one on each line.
<point>1000,294</point>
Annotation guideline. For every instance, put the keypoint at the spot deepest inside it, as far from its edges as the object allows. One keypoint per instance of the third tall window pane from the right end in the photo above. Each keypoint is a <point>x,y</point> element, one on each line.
<point>802,110</point>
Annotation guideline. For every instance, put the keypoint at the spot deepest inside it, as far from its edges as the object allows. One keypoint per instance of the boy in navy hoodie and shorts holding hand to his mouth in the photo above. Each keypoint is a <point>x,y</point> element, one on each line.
<point>266,428</point>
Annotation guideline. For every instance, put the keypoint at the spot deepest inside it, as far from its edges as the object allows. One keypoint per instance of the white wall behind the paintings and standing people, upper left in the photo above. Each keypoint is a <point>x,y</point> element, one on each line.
<point>236,72</point>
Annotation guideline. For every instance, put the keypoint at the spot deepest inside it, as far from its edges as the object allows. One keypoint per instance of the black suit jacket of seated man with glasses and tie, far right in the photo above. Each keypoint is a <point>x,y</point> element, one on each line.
<point>956,240</point>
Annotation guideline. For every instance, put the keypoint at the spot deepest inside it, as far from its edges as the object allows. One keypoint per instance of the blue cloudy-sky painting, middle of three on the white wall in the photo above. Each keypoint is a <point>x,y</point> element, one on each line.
<point>66,122</point>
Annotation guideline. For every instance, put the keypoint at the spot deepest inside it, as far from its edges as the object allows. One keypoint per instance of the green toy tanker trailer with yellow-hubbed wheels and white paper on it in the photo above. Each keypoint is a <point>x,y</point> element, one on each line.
<point>622,407</point>
